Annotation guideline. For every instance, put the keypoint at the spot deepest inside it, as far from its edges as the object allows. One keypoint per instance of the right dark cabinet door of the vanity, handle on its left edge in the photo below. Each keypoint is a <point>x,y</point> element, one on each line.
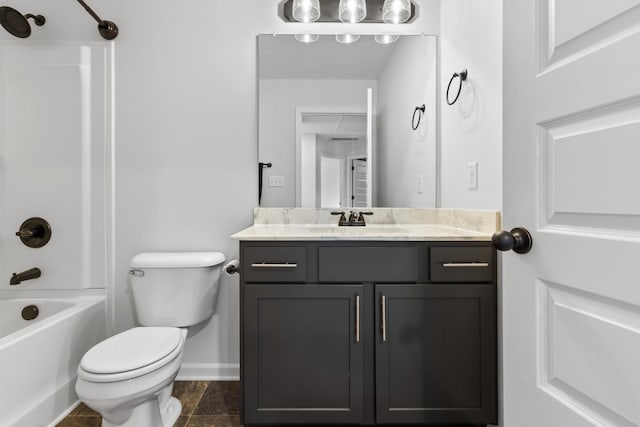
<point>436,354</point>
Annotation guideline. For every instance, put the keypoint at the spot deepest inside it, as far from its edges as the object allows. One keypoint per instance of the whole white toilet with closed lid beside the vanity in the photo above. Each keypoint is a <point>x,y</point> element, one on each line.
<point>128,378</point>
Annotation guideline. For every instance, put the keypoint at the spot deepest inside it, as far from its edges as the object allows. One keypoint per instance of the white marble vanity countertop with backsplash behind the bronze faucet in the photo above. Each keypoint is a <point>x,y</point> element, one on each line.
<point>386,224</point>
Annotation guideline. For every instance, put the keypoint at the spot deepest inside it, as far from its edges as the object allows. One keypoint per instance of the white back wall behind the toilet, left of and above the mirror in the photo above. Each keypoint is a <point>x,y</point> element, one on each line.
<point>186,134</point>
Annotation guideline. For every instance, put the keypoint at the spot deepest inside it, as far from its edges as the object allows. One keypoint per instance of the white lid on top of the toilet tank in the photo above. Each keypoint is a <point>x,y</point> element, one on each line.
<point>176,259</point>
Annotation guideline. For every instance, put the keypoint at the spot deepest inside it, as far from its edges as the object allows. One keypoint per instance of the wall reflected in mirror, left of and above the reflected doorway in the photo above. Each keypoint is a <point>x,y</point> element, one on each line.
<point>278,100</point>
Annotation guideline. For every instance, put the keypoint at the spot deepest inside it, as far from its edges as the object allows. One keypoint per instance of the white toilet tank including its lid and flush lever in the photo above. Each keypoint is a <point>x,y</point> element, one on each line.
<point>175,288</point>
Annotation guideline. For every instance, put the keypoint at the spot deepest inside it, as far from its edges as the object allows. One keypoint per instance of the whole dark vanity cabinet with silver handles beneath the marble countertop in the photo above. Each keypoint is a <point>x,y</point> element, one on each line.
<point>352,332</point>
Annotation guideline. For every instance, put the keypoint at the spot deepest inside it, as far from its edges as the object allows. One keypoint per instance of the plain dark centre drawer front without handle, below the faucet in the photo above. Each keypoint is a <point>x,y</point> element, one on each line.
<point>367,264</point>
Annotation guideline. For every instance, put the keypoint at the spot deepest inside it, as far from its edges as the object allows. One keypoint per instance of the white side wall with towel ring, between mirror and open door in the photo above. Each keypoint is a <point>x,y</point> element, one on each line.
<point>471,129</point>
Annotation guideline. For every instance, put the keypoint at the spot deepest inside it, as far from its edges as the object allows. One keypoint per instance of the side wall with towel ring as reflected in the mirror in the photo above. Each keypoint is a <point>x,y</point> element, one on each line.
<point>404,155</point>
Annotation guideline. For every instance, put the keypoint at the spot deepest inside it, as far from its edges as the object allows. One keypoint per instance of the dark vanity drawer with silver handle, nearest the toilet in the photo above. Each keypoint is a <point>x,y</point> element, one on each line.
<point>275,264</point>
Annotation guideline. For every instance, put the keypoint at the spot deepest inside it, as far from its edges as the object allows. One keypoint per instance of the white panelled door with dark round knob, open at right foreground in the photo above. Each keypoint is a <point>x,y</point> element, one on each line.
<point>571,307</point>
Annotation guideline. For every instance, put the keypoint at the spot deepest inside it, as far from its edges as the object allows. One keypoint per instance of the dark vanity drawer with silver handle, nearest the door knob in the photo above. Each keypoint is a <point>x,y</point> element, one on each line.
<point>460,264</point>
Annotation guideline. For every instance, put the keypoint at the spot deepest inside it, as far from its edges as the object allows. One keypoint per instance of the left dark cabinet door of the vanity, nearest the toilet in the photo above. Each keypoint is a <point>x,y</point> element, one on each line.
<point>302,354</point>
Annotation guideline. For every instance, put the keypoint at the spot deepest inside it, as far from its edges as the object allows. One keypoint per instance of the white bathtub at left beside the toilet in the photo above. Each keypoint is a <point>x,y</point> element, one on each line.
<point>39,357</point>
